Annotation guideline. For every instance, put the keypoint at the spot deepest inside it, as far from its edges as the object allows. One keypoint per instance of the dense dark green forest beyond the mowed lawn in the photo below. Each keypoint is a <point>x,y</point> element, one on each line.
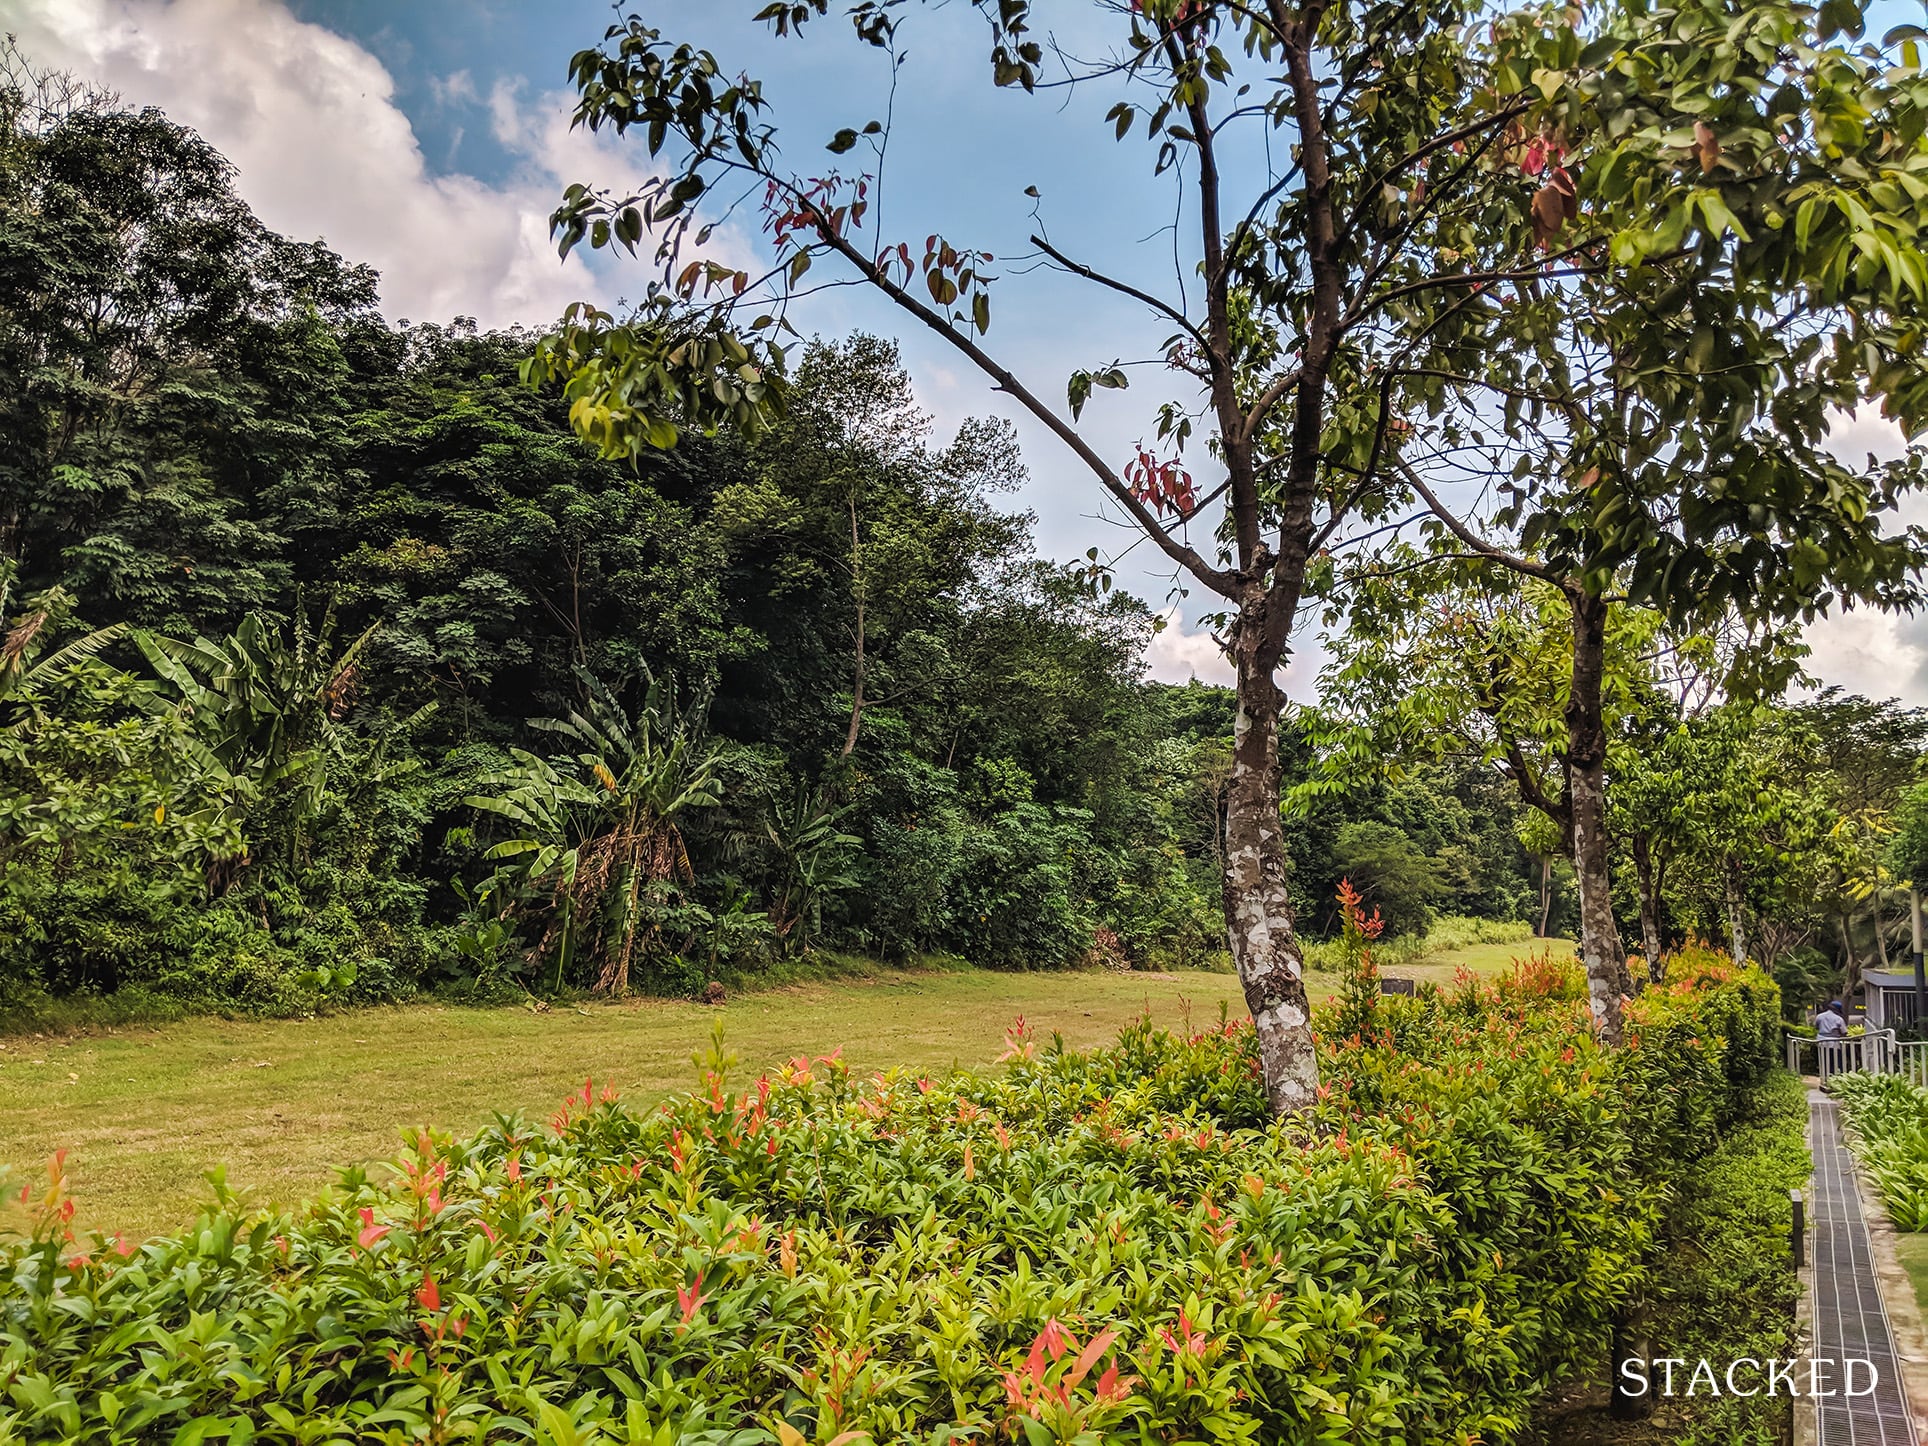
<point>336,666</point>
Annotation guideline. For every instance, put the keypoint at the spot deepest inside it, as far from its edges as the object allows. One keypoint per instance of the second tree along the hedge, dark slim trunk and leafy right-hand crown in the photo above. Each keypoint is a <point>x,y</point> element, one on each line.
<point>1742,267</point>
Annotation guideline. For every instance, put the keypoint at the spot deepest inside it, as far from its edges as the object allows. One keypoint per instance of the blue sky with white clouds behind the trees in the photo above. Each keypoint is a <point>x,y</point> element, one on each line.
<point>431,140</point>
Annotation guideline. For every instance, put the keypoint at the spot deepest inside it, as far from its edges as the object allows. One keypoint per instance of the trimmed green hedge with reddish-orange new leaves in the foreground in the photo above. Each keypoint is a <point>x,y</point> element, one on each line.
<point>1110,1246</point>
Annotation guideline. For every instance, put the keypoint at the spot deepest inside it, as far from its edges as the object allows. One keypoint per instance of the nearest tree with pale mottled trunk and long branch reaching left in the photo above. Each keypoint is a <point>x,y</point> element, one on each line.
<point>1351,255</point>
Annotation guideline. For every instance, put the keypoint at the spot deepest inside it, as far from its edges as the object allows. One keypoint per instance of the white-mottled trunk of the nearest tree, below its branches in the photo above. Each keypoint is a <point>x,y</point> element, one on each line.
<point>1258,909</point>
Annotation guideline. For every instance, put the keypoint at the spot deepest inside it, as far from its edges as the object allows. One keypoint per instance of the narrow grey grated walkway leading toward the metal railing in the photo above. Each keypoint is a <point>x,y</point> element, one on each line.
<point>1850,1320</point>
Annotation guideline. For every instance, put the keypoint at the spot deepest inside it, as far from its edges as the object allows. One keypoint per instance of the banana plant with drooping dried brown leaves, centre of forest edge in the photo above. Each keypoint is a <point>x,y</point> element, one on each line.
<point>595,826</point>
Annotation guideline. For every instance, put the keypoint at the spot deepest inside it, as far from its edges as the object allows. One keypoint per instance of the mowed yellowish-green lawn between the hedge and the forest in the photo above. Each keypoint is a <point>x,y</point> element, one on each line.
<point>284,1104</point>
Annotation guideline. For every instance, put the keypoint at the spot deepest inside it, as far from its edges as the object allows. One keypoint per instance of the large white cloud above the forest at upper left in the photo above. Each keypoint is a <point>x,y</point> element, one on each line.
<point>311,124</point>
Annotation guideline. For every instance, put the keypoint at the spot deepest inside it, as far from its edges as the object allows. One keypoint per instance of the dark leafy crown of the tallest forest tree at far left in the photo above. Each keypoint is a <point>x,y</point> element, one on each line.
<point>173,365</point>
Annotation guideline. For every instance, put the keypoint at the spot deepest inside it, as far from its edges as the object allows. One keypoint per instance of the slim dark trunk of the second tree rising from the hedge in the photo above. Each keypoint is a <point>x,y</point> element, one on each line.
<point>1586,770</point>
